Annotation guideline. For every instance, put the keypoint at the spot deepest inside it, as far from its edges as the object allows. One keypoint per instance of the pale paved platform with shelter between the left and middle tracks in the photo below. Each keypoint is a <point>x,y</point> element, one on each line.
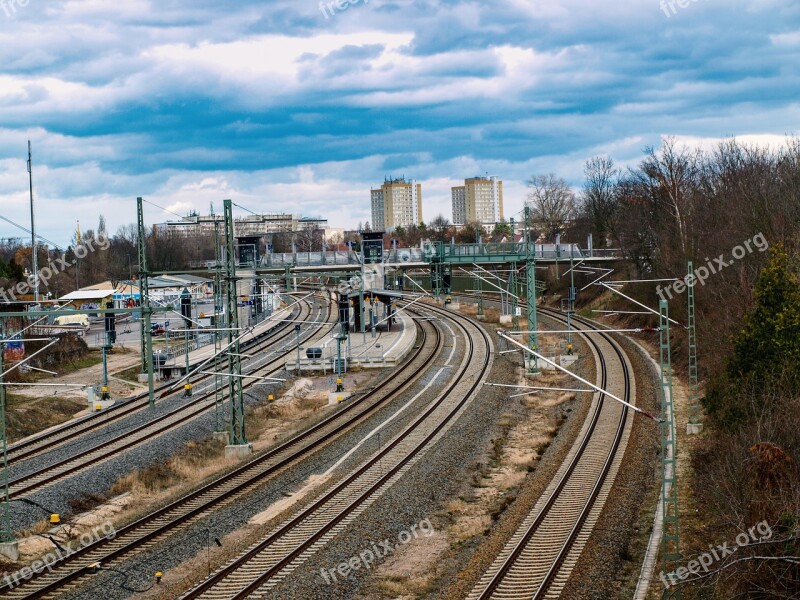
<point>385,350</point>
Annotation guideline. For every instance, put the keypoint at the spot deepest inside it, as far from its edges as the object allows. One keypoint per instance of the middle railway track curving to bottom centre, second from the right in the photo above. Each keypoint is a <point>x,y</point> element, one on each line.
<point>269,561</point>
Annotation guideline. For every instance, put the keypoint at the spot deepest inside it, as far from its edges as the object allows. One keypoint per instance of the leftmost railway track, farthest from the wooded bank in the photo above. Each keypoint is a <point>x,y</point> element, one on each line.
<point>53,438</point>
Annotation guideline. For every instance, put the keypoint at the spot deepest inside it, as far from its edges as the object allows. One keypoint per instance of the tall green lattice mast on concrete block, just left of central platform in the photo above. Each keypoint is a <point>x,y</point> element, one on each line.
<point>238,445</point>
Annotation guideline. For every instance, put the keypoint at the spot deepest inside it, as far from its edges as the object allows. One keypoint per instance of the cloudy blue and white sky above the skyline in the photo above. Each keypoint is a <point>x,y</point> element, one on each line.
<point>289,106</point>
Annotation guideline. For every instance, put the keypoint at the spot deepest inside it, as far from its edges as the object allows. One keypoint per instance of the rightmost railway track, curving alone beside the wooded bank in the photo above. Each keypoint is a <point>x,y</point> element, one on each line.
<point>540,556</point>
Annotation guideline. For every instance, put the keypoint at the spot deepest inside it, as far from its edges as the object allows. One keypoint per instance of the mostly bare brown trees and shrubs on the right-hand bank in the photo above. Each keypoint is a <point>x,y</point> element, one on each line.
<point>708,206</point>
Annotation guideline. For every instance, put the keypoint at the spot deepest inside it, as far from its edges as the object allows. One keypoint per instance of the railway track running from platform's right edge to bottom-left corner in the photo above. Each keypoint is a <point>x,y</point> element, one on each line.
<point>154,528</point>
